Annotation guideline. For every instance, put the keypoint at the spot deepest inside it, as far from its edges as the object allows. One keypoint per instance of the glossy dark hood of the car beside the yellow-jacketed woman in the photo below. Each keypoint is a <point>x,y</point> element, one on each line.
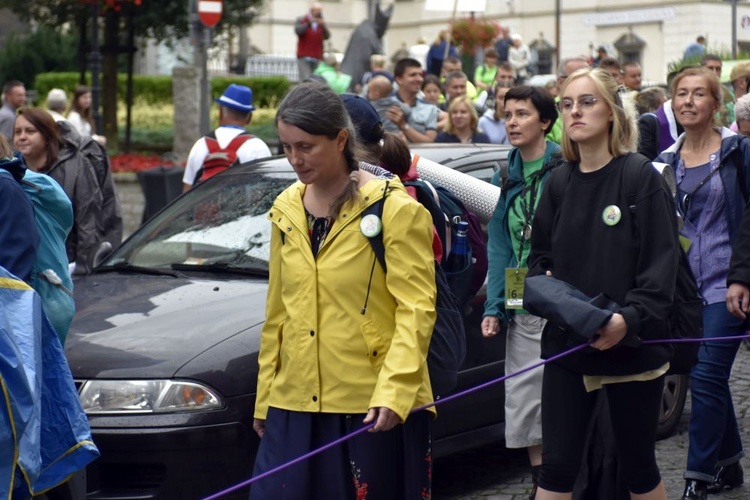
<point>141,326</point>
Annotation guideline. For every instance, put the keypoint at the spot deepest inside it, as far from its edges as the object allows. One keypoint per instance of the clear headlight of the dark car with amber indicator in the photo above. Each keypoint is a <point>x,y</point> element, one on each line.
<point>146,396</point>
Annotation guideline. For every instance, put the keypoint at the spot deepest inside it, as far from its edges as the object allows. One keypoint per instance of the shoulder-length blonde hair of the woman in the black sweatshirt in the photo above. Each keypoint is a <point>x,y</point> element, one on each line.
<point>623,131</point>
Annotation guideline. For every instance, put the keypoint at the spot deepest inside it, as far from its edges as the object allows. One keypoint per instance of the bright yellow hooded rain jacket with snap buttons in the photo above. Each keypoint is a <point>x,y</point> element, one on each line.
<point>320,350</point>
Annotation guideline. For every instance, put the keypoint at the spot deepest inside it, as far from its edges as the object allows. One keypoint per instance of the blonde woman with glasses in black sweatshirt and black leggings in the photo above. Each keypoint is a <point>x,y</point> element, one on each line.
<point>583,235</point>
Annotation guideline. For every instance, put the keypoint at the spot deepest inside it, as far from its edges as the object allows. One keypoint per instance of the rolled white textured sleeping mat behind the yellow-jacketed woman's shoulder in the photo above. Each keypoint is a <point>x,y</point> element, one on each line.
<point>479,196</point>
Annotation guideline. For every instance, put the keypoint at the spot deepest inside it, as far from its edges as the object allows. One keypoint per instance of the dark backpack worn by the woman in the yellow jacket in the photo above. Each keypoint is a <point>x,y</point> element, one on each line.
<point>448,342</point>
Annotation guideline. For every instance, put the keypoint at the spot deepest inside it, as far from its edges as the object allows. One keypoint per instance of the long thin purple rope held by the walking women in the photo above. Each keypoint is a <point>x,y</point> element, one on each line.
<point>441,401</point>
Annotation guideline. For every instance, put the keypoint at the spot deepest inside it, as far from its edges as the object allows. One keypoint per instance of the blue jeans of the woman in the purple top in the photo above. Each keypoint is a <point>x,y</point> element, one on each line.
<point>714,436</point>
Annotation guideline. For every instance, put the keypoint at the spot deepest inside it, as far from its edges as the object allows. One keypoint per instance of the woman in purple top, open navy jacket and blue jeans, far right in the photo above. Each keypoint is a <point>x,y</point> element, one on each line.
<point>711,168</point>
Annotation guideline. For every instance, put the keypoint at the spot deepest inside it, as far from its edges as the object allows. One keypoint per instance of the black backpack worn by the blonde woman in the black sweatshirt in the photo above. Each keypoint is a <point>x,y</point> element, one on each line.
<point>686,314</point>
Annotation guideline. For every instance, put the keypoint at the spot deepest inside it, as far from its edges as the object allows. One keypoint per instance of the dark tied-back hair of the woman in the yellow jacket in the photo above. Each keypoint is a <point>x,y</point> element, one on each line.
<point>316,109</point>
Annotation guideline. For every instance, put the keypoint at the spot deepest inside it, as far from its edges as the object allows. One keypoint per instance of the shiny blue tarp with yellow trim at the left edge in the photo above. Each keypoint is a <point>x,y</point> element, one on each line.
<point>44,433</point>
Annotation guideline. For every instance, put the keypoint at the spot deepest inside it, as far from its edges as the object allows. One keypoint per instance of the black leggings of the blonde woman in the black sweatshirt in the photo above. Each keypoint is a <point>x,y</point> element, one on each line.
<point>566,412</point>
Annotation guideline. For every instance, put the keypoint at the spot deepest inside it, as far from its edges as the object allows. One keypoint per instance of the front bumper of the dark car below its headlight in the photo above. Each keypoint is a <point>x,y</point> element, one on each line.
<point>185,456</point>
